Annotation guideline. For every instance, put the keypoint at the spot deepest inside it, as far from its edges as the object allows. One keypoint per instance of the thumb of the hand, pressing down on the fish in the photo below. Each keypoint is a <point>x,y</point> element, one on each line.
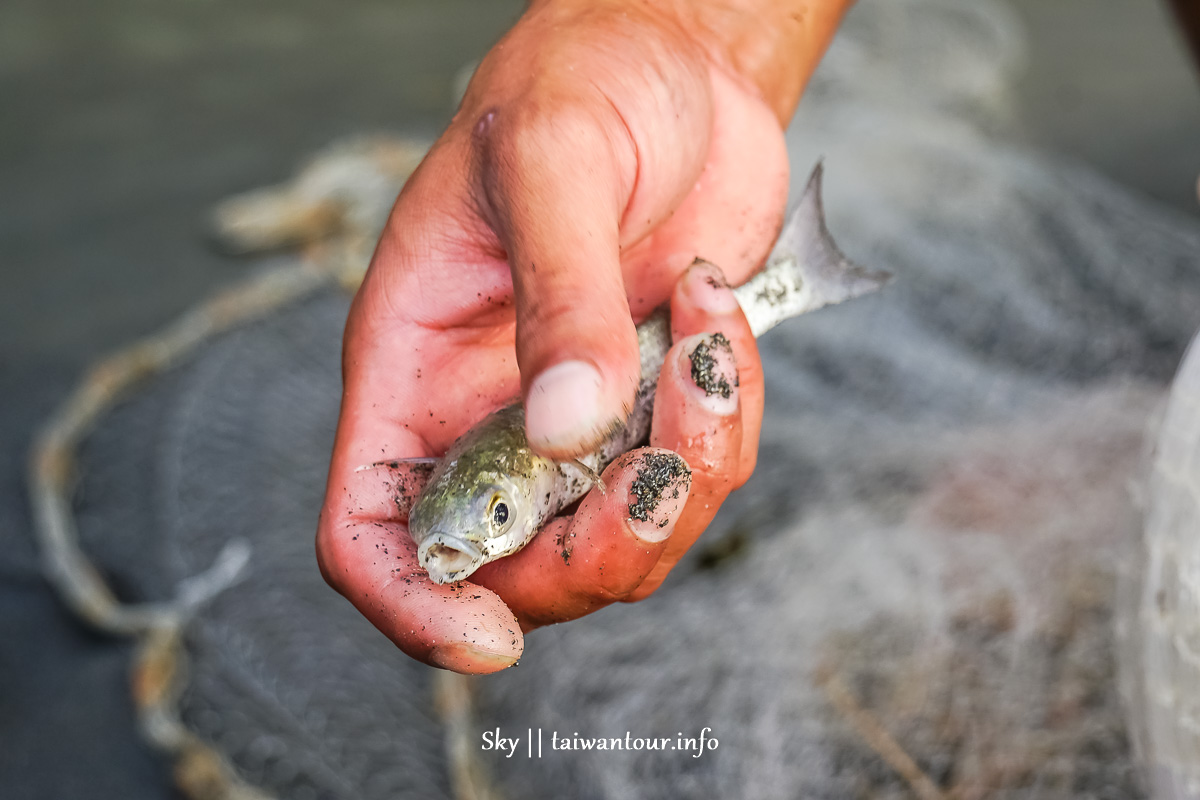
<point>557,183</point>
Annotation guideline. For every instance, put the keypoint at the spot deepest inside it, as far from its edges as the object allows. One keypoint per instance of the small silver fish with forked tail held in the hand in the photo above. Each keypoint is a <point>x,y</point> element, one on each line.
<point>488,497</point>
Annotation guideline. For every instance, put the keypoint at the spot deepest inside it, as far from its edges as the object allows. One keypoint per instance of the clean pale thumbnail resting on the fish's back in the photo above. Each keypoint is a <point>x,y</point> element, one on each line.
<point>563,407</point>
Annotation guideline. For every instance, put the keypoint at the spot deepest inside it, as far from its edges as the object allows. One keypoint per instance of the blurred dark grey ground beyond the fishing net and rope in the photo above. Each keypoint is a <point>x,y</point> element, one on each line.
<point>124,122</point>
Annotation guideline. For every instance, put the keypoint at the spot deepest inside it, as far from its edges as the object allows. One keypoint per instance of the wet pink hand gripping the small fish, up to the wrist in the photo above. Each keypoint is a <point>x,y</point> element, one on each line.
<point>563,204</point>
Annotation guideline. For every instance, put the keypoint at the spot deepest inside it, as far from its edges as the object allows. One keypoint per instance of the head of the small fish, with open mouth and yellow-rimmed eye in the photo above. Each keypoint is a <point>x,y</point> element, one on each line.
<point>457,532</point>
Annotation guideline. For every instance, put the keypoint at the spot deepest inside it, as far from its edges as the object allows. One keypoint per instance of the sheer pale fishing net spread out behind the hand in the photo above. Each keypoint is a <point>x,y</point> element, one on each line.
<point>914,596</point>
